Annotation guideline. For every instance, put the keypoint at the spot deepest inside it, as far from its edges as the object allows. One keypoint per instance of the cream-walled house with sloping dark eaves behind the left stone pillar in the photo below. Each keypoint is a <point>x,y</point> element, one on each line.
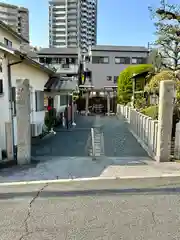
<point>15,64</point>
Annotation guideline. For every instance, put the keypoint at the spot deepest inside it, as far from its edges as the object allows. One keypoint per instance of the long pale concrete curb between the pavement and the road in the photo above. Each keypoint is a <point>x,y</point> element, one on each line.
<point>76,180</point>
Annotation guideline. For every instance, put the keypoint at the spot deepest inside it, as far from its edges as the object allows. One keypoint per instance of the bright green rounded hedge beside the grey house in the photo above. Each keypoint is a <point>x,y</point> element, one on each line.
<point>125,81</point>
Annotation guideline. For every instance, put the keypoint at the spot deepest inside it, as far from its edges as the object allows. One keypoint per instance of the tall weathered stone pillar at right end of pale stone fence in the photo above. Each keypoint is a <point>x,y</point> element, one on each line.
<point>166,104</point>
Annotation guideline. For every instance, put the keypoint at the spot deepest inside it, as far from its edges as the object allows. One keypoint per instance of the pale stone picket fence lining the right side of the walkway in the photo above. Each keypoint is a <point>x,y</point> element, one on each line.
<point>144,128</point>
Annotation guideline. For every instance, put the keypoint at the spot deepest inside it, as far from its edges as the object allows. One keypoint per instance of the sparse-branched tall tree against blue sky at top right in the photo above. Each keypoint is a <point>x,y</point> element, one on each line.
<point>168,34</point>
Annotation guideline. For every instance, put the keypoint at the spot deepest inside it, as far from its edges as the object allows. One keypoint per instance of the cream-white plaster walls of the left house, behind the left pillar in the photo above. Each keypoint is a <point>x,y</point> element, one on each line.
<point>37,78</point>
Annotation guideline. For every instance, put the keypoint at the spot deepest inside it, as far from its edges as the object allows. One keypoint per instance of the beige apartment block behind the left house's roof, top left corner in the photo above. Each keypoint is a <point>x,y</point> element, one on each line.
<point>16,17</point>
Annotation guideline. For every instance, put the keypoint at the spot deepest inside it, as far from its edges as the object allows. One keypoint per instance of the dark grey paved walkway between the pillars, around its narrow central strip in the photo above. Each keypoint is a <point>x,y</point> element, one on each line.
<point>118,140</point>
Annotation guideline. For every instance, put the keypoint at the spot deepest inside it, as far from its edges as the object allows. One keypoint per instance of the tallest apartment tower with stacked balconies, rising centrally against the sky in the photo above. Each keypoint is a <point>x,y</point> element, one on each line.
<point>72,23</point>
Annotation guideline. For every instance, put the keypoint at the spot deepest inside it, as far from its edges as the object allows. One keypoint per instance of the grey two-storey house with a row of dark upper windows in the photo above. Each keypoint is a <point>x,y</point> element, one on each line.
<point>106,62</point>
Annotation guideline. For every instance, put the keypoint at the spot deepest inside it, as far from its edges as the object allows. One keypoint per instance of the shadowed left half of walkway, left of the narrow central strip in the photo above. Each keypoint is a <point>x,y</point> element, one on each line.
<point>67,142</point>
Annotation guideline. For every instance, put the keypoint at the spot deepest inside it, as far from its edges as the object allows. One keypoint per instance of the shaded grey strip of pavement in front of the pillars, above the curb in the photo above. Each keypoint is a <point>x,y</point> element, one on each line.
<point>51,168</point>
